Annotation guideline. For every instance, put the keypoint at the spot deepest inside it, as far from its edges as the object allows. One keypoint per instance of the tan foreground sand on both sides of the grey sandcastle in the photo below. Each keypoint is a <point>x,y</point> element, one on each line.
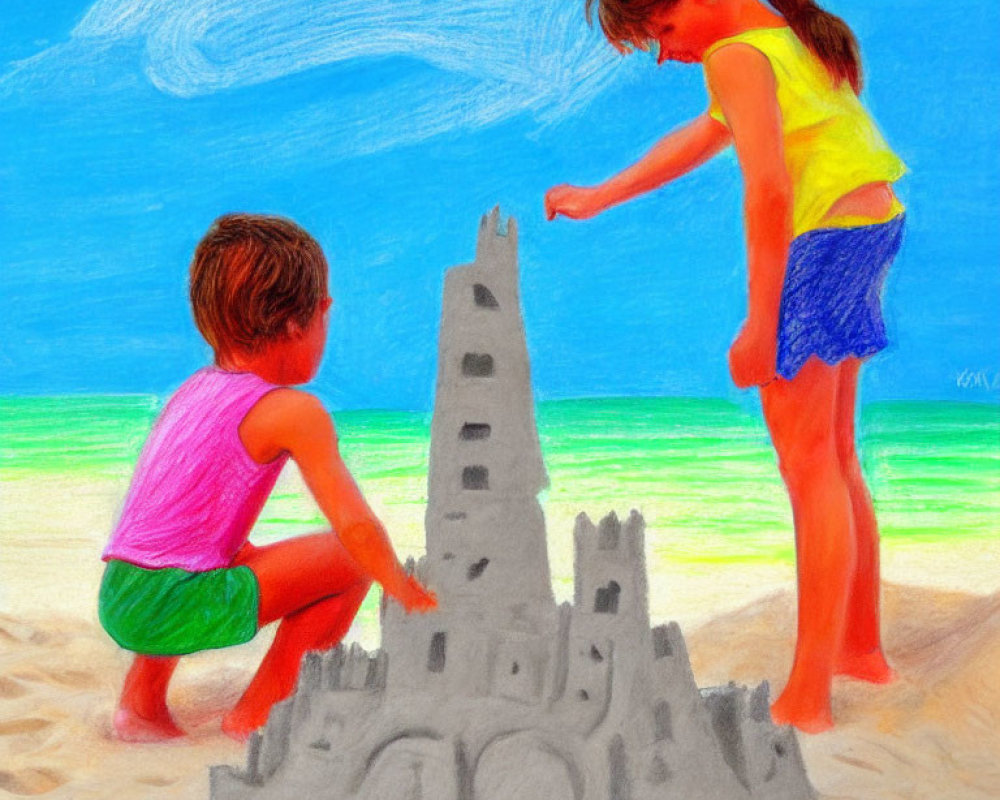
<point>933,734</point>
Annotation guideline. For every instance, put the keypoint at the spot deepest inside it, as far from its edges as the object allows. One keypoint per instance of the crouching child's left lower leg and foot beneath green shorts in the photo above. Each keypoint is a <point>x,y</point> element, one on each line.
<point>142,714</point>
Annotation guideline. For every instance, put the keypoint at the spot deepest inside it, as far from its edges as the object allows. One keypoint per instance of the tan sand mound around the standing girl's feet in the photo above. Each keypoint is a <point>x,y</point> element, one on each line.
<point>932,735</point>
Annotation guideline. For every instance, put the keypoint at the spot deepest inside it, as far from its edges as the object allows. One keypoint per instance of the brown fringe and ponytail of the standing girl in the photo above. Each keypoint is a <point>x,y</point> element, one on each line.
<point>827,36</point>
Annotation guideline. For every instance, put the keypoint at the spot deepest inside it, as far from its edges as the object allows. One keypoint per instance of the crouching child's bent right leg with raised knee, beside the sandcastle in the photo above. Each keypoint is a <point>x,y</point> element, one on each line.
<point>313,585</point>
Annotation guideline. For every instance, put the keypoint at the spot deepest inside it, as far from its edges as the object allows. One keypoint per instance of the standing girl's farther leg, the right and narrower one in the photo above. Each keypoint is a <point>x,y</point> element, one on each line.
<point>861,654</point>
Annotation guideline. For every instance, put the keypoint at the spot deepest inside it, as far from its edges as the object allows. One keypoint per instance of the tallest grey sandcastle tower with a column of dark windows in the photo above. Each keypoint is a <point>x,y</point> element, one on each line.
<point>486,552</point>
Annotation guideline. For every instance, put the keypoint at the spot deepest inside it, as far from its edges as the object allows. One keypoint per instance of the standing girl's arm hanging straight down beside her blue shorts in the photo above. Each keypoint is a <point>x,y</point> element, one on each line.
<point>742,79</point>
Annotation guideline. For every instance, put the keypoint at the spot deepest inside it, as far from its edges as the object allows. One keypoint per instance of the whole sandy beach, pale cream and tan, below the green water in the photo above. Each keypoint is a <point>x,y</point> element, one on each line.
<point>933,735</point>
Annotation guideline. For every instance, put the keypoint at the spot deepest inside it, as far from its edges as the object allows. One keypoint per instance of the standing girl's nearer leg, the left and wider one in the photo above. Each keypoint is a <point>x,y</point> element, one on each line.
<point>800,415</point>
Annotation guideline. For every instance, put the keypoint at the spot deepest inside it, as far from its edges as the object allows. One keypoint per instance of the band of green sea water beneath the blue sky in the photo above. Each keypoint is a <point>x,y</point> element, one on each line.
<point>934,468</point>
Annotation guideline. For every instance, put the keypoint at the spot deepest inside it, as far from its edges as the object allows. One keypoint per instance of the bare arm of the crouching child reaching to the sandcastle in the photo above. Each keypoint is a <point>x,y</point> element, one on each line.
<point>292,421</point>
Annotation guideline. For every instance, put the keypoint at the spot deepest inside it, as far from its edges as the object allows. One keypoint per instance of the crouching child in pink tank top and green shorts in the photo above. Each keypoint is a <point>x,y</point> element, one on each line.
<point>181,575</point>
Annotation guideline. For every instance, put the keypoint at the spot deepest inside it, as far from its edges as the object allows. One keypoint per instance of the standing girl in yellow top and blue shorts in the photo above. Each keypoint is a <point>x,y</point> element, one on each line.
<point>822,226</point>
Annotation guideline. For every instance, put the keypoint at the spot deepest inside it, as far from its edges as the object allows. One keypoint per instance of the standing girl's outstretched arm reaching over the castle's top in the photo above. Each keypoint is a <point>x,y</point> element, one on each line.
<point>674,155</point>
